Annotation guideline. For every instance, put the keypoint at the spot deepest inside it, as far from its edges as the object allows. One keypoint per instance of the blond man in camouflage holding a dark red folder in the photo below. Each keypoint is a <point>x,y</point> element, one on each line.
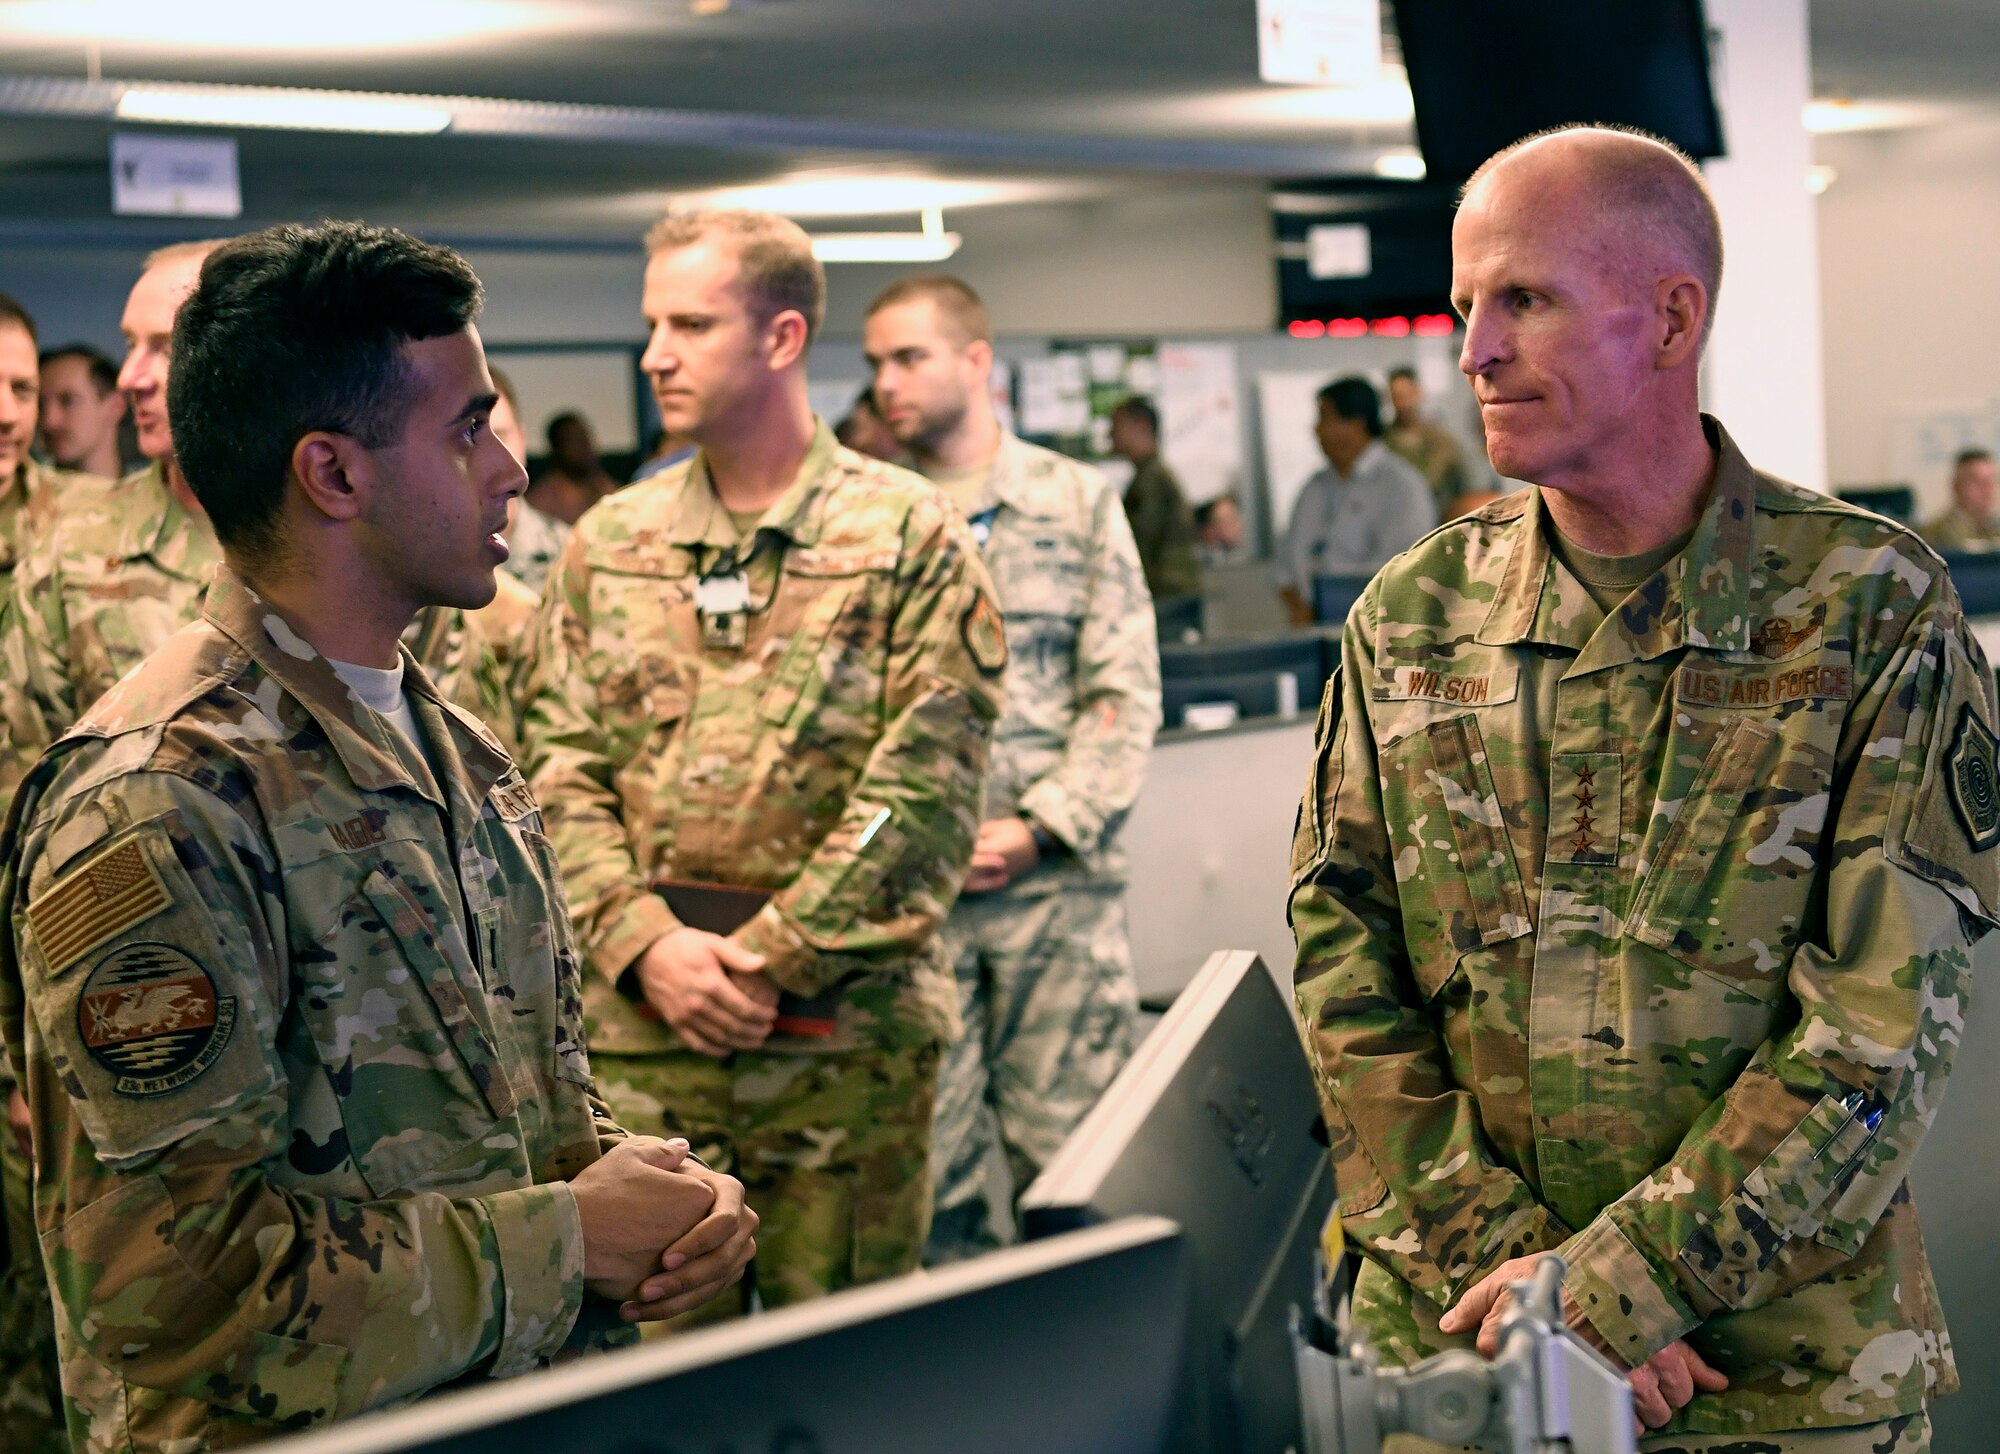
<point>791,699</point>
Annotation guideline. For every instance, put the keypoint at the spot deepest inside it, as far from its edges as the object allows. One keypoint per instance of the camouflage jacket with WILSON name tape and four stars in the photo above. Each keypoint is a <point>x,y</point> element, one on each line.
<point>1649,937</point>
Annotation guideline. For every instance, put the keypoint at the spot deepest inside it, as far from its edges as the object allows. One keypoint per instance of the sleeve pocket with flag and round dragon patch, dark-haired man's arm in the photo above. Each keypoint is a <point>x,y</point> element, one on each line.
<point>139,999</point>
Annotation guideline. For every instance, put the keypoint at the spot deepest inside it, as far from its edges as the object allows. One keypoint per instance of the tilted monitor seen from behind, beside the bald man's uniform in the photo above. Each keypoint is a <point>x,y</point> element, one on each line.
<point>1217,1125</point>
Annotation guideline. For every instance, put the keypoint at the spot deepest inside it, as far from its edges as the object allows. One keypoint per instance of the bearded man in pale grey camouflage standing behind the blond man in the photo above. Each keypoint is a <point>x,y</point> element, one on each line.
<point>1039,941</point>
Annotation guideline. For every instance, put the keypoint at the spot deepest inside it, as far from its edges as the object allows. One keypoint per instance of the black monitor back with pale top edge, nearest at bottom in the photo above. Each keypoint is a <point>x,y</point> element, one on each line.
<point>1061,1347</point>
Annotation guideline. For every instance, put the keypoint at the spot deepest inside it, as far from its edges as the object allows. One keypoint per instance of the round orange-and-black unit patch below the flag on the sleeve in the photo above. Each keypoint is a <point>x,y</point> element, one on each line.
<point>153,1019</point>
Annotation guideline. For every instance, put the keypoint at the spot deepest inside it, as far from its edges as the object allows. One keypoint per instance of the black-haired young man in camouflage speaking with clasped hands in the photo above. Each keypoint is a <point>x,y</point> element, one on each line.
<point>287,975</point>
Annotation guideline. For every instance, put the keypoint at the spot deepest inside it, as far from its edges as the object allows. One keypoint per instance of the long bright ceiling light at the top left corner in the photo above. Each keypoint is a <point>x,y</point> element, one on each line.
<point>259,25</point>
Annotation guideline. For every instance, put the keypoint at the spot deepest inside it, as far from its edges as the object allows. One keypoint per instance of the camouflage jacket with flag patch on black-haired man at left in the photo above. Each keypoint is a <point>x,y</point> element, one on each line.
<point>303,1043</point>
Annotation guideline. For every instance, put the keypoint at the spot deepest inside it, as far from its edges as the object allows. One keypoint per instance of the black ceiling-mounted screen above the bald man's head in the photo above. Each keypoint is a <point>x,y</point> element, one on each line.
<point>1485,75</point>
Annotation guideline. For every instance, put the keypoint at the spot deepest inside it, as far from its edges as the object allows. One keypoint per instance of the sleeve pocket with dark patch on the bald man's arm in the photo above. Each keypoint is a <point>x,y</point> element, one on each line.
<point>1945,823</point>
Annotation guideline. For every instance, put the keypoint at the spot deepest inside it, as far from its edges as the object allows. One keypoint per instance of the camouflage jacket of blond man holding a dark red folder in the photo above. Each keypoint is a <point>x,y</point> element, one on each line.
<point>835,757</point>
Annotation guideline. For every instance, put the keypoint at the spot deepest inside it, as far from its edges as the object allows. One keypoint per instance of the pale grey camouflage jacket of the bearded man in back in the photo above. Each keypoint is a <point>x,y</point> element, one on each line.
<point>1083,689</point>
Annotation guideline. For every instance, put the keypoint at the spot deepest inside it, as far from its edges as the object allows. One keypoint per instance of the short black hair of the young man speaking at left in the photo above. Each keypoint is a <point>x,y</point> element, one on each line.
<point>291,331</point>
